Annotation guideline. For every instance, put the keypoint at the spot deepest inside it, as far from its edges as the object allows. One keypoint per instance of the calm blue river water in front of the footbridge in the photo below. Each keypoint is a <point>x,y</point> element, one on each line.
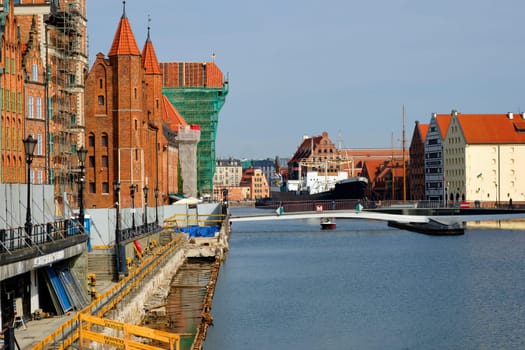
<point>289,285</point>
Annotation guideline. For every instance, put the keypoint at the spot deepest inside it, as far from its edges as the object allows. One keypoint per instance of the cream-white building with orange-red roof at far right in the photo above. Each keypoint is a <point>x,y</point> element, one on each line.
<point>485,157</point>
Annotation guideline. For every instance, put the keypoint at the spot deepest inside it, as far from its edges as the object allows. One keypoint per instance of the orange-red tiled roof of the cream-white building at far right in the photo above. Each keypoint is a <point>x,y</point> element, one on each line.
<point>491,128</point>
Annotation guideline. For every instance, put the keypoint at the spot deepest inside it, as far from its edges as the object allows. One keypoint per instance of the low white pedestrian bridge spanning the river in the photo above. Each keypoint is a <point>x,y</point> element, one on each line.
<point>430,224</point>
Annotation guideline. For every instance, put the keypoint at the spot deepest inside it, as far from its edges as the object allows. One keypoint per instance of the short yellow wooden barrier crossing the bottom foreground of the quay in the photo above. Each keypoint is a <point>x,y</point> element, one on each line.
<point>126,331</point>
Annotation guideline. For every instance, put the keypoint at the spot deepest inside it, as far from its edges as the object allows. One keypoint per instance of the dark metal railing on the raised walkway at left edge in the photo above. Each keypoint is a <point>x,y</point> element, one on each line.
<point>16,238</point>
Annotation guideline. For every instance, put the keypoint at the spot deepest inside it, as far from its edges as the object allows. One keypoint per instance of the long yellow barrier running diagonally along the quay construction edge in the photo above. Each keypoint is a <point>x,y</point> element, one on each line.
<point>62,340</point>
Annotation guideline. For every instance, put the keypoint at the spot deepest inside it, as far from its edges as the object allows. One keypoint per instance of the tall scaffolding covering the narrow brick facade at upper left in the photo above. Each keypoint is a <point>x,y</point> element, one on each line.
<point>66,58</point>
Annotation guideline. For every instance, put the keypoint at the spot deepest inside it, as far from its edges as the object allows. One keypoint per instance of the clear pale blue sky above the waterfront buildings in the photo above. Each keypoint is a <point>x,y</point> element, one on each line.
<point>301,67</point>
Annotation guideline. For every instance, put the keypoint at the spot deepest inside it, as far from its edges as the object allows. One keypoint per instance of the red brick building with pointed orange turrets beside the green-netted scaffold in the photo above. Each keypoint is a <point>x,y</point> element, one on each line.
<point>129,140</point>
